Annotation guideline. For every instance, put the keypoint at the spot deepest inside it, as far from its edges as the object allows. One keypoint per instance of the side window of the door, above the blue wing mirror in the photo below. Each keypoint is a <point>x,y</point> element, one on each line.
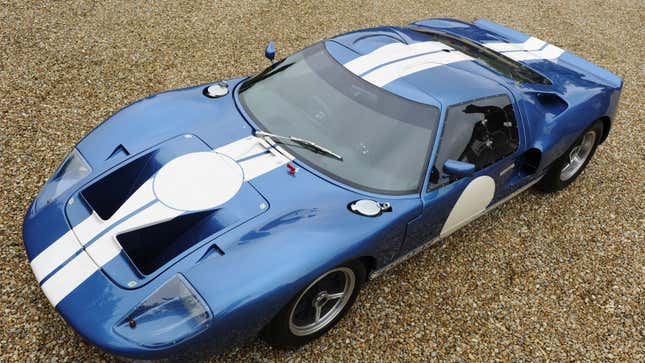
<point>479,132</point>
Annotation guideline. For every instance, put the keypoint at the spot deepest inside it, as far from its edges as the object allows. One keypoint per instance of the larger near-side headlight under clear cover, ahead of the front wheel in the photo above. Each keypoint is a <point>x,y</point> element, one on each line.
<point>171,314</point>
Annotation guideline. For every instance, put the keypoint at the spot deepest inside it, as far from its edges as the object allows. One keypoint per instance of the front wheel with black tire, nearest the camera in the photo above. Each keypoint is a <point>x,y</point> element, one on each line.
<point>315,310</point>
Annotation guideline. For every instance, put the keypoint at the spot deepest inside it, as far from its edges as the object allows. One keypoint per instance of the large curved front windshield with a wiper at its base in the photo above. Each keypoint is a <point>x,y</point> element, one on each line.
<point>384,139</point>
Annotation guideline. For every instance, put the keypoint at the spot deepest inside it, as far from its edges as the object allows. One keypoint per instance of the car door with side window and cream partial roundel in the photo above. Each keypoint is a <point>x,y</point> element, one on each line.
<point>483,132</point>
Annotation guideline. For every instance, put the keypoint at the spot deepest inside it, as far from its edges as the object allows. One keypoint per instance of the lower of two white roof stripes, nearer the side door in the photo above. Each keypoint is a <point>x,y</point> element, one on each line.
<point>391,72</point>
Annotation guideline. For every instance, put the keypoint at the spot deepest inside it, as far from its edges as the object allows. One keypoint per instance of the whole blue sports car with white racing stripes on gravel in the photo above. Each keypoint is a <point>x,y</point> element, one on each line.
<point>202,217</point>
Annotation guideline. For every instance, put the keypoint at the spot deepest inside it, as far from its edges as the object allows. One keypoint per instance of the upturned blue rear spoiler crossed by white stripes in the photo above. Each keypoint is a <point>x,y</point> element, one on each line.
<point>521,47</point>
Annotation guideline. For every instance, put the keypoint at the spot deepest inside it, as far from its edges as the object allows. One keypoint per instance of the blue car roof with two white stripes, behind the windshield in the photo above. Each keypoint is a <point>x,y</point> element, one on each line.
<point>415,65</point>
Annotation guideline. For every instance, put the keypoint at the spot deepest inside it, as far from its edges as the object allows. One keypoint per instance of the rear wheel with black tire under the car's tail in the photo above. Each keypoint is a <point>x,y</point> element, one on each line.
<point>567,168</point>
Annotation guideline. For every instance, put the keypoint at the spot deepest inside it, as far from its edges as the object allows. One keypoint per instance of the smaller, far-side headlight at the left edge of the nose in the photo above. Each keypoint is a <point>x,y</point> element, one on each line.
<point>71,171</point>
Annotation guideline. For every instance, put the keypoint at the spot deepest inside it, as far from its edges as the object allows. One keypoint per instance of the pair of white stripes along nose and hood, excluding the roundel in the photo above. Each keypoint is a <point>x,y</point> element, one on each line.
<point>256,157</point>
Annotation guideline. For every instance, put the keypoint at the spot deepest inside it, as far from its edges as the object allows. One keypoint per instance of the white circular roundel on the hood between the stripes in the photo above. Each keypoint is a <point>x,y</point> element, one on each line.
<point>198,181</point>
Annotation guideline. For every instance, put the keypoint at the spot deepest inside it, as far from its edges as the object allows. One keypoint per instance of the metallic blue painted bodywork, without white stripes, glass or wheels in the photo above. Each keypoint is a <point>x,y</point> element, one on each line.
<point>306,229</point>
